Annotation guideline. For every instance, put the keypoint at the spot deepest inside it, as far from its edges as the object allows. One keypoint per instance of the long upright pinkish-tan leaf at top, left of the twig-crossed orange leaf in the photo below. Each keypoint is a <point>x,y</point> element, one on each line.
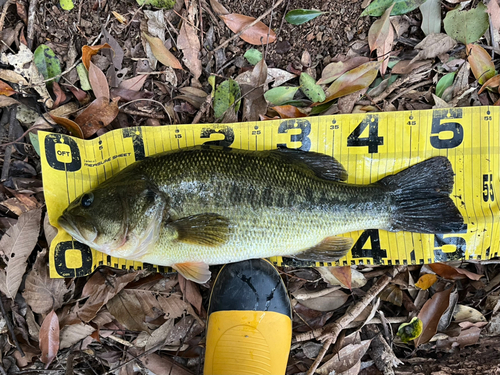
<point>189,44</point>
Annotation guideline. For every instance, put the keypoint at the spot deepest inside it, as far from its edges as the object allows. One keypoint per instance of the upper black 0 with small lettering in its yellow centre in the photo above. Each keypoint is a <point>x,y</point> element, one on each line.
<point>62,153</point>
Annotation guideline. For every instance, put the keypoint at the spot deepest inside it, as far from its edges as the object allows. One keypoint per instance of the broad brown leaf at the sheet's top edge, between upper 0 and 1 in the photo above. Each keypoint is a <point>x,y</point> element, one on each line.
<point>97,115</point>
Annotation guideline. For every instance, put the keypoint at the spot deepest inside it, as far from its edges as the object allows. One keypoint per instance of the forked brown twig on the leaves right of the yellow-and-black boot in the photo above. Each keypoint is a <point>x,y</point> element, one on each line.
<point>330,332</point>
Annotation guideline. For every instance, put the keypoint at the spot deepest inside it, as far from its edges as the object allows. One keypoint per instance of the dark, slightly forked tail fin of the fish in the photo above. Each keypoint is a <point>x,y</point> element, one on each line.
<point>421,198</point>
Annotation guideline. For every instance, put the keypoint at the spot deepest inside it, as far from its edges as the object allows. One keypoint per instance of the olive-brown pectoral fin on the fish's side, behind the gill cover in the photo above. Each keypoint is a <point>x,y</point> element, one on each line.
<point>203,229</point>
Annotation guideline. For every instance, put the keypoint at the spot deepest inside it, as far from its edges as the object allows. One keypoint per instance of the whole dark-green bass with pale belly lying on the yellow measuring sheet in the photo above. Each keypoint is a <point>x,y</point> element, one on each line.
<point>208,205</point>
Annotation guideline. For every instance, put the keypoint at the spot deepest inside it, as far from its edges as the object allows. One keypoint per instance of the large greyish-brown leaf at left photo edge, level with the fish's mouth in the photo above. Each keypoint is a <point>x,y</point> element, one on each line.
<point>17,244</point>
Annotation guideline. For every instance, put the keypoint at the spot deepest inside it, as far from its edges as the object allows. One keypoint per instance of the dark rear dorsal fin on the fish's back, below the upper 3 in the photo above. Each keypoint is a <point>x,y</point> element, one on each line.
<point>323,166</point>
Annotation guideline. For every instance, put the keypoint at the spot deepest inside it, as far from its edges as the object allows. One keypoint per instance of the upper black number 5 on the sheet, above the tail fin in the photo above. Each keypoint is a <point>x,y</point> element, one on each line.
<point>451,128</point>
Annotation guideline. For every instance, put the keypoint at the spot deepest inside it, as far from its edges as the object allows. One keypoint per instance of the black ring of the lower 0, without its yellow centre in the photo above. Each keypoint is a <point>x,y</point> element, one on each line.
<point>60,259</point>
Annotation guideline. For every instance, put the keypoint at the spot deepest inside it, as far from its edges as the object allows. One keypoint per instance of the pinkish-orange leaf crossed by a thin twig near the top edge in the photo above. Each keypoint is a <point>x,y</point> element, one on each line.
<point>256,35</point>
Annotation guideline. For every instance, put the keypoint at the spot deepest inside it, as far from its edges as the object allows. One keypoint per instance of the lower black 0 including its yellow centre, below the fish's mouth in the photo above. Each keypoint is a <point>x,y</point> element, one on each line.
<point>72,259</point>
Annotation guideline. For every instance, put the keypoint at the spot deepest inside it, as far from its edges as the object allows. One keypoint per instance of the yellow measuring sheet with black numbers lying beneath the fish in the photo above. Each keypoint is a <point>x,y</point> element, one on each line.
<point>370,146</point>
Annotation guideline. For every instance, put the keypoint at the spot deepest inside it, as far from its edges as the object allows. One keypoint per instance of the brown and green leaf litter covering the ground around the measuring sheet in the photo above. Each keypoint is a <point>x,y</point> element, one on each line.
<point>284,66</point>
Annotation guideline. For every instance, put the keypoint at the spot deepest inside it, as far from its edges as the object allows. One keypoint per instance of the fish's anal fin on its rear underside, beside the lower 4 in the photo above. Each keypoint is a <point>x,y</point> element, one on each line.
<point>330,249</point>
